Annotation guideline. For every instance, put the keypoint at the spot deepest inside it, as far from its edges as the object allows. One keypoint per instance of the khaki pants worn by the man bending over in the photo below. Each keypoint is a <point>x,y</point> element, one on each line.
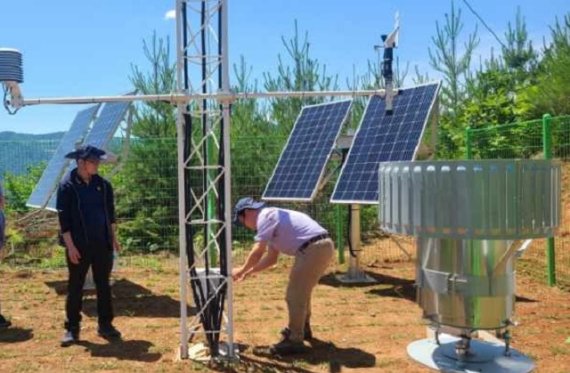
<point>307,269</point>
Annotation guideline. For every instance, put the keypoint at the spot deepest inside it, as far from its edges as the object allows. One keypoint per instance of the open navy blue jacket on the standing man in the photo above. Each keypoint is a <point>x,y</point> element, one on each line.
<point>71,218</point>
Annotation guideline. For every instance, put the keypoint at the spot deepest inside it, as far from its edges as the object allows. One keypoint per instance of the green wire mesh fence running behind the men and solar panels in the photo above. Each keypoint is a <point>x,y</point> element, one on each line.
<point>145,183</point>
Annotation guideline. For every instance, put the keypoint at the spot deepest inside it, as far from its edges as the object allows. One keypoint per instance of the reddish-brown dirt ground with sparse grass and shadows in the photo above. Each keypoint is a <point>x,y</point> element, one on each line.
<point>358,328</point>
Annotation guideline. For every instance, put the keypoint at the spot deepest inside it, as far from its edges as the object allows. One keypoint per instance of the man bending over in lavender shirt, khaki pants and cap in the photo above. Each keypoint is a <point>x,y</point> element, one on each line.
<point>292,233</point>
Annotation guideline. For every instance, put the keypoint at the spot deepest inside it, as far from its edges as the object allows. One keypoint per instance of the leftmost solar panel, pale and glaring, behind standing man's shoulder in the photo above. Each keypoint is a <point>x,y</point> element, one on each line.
<point>52,173</point>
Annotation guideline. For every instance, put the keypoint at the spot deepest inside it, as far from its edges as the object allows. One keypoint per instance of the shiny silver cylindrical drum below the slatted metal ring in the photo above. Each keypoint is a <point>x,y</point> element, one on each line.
<point>465,284</point>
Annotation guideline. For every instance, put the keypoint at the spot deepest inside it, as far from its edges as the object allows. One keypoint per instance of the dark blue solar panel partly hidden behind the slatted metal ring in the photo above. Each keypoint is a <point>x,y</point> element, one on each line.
<point>381,138</point>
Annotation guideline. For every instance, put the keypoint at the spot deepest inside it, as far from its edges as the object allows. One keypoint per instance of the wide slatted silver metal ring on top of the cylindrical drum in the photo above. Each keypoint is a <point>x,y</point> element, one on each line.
<point>490,199</point>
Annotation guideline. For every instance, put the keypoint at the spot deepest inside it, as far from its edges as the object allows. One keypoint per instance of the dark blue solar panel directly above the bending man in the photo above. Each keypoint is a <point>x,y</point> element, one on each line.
<point>301,164</point>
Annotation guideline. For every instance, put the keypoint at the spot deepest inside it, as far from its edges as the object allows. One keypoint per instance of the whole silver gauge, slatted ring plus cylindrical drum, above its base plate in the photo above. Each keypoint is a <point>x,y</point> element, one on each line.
<point>466,215</point>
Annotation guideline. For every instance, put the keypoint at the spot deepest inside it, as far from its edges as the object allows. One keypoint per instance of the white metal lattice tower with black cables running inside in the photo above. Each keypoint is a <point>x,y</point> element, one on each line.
<point>204,171</point>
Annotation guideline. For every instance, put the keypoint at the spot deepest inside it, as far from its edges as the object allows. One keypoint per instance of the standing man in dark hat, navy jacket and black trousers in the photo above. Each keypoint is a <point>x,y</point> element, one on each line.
<point>86,212</point>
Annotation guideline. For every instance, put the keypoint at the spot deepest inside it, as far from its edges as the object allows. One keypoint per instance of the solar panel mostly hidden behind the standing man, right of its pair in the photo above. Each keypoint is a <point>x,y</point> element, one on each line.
<point>101,133</point>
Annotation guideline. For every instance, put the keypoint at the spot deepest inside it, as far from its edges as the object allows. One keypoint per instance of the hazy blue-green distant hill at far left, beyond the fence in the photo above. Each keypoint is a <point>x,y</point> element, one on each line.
<point>18,151</point>
